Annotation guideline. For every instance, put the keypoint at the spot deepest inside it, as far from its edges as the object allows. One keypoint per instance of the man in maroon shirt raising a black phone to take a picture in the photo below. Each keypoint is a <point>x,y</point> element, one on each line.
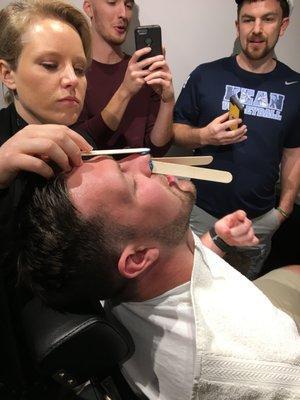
<point>129,103</point>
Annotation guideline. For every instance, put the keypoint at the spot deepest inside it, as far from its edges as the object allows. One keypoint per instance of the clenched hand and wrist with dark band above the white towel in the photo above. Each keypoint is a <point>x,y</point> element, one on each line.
<point>234,229</point>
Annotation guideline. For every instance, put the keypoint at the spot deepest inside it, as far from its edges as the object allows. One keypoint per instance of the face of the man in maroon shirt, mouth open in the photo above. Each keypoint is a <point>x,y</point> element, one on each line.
<point>110,18</point>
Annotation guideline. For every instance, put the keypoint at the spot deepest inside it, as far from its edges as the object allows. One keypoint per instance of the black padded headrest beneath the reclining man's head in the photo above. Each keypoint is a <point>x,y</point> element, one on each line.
<point>74,348</point>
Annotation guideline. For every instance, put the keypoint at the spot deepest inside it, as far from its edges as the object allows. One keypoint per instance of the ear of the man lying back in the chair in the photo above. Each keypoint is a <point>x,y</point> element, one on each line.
<point>133,261</point>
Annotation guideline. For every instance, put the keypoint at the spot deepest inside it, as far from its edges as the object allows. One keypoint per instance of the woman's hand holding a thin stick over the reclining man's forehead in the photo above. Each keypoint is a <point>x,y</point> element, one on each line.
<point>34,146</point>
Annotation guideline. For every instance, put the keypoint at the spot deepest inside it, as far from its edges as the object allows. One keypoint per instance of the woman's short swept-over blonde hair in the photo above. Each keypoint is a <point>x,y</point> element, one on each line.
<point>18,15</point>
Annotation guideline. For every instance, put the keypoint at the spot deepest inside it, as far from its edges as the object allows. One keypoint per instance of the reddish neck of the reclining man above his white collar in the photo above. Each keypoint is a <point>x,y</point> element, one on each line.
<point>174,268</point>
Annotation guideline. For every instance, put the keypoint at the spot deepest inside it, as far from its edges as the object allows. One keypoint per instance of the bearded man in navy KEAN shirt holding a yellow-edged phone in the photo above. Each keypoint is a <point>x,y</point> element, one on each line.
<point>268,136</point>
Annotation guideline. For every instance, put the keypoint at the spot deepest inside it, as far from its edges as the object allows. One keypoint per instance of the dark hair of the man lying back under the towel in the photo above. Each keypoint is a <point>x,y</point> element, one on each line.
<point>65,259</point>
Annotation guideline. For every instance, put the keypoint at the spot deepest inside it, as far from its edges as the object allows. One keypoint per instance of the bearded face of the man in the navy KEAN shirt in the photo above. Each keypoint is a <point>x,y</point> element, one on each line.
<point>259,26</point>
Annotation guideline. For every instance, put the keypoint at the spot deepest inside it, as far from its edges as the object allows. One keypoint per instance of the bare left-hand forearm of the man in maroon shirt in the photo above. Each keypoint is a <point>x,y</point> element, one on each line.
<point>114,111</point>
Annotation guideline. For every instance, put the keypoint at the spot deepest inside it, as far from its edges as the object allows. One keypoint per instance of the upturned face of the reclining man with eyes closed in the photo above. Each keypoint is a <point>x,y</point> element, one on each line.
<point>129,193</point>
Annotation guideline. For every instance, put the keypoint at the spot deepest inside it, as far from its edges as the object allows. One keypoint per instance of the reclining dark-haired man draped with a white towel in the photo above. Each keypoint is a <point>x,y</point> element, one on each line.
<point>114,230</point>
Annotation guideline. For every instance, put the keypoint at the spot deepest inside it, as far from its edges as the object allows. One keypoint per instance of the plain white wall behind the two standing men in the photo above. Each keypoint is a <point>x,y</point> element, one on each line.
<point>196,31</point>
